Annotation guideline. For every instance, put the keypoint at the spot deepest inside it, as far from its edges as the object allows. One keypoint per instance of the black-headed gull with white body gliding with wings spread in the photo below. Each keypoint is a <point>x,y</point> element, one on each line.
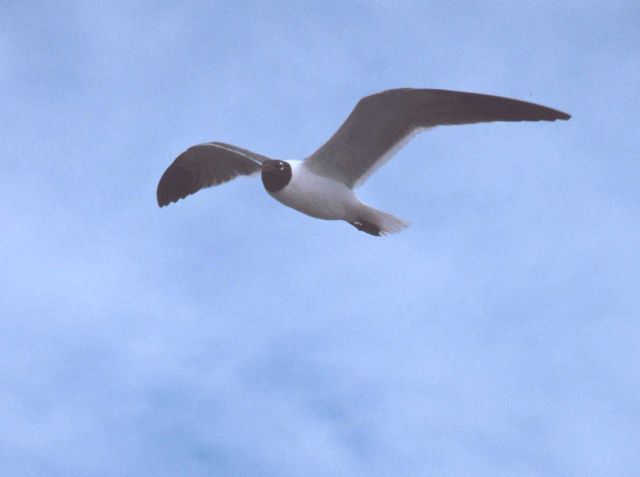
<point>323,184</point>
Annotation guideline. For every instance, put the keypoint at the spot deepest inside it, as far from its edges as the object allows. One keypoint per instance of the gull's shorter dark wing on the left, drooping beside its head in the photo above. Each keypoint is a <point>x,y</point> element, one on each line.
<point>205,165</point>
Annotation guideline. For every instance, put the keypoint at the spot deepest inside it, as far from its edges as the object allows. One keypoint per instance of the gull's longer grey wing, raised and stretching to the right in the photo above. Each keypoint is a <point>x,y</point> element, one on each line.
<point>381,123</point>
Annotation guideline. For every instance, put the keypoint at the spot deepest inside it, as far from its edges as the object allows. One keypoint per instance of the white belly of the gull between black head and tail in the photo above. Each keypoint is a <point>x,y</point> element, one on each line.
<point>318,197</point>
